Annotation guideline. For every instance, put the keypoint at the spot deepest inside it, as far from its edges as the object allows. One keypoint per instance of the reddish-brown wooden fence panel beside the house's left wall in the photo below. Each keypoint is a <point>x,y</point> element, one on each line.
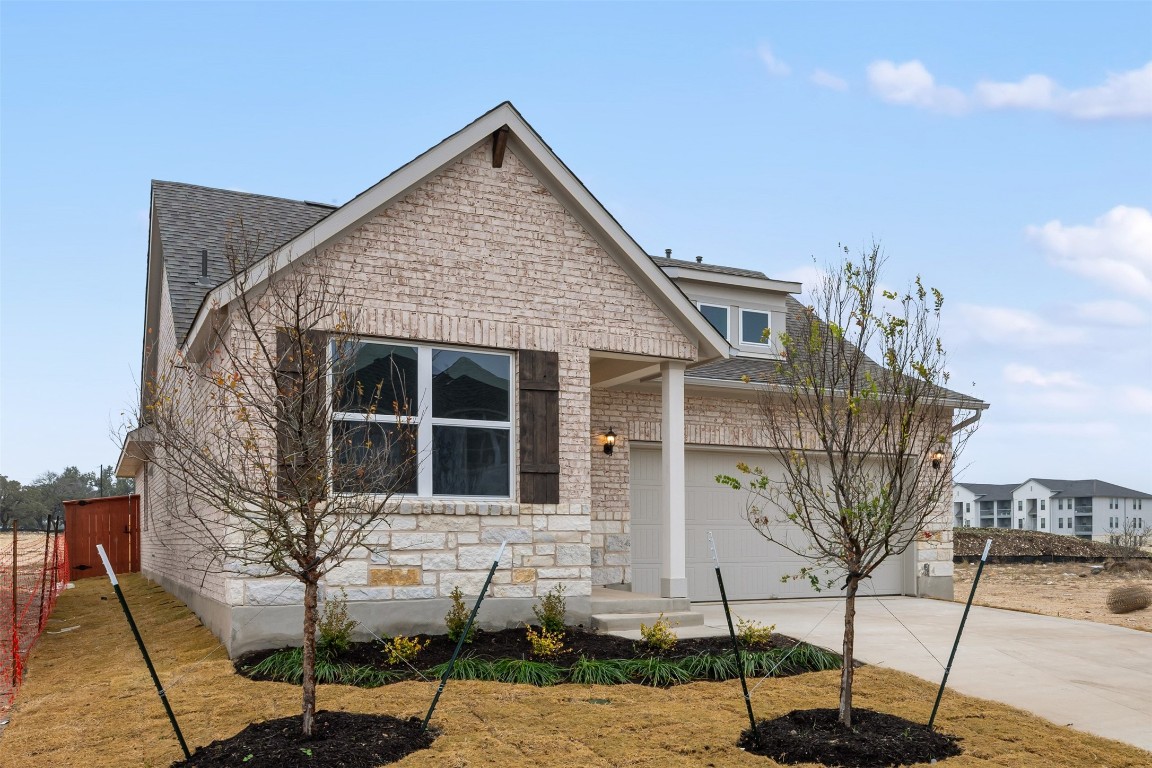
<point>112,521</point>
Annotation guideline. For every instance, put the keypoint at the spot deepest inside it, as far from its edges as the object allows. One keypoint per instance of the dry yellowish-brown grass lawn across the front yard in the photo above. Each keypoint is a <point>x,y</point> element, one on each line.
<point>89,702</point>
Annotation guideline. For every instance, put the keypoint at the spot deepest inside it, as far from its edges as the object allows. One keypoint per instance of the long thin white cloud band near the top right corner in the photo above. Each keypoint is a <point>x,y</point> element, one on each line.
<point>1124,95</point>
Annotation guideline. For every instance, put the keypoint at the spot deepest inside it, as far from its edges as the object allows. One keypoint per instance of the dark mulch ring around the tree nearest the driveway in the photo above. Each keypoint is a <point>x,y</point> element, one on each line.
<point>875,740</point>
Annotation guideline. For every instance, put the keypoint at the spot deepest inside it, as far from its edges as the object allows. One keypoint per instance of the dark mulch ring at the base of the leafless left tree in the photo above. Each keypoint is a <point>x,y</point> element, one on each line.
<point>343,740</point>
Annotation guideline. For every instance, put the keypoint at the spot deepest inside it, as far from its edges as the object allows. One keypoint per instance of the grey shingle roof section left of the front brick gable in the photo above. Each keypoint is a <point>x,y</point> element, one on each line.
<point>194,218</point>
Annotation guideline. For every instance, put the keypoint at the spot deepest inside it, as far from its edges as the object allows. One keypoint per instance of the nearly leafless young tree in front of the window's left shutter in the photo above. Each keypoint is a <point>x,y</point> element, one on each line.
<point>256,469</point>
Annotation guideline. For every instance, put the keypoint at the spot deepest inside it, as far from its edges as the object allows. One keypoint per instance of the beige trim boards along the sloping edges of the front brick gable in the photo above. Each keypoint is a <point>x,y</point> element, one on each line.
<point>532,150</point>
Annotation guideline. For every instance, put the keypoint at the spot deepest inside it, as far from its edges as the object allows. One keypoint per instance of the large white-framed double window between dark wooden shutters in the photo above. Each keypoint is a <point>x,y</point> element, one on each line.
<point>458,404</point>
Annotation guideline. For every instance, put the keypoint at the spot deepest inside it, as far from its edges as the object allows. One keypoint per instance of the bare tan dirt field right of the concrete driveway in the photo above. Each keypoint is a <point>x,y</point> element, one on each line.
<point>1067,590</point>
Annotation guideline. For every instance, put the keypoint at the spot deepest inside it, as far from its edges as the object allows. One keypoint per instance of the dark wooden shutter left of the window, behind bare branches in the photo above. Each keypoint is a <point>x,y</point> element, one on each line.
<point>301,415</point>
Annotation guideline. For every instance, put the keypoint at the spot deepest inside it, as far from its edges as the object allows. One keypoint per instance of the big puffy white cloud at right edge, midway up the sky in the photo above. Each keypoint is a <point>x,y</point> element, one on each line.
<point>1117,249</point>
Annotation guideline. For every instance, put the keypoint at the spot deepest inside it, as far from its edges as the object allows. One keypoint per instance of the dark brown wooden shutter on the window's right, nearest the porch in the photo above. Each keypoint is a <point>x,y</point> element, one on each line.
<point>540,428</point>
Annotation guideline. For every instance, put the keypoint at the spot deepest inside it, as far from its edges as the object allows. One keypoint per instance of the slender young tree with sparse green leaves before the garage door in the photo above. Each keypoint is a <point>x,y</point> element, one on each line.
<point>863,451</point>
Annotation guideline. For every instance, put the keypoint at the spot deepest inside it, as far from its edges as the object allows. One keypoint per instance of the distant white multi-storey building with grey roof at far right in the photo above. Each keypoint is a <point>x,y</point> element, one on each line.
<point>1089,510</point>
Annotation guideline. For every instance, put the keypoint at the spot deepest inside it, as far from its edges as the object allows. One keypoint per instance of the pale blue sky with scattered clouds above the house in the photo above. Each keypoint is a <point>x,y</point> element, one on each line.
<point>1003,151</point>
